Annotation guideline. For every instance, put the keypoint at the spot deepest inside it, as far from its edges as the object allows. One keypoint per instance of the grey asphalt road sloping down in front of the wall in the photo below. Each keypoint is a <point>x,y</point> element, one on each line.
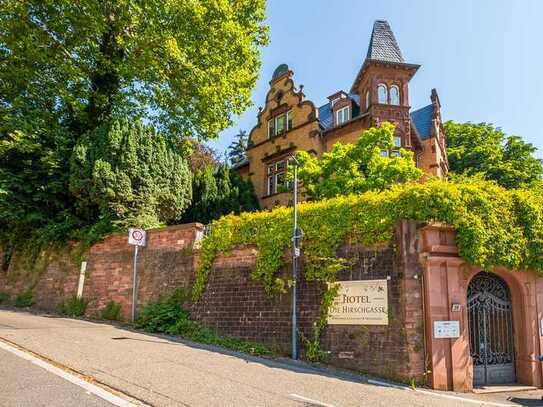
<point>162,372</point>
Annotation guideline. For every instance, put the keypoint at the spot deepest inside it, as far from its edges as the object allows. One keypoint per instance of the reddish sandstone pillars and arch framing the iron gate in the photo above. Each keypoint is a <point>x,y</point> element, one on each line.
<point>446,277</point>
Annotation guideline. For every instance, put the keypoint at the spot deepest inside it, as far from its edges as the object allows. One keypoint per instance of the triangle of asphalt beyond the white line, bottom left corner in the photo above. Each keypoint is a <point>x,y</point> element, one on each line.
<point>25,384</point>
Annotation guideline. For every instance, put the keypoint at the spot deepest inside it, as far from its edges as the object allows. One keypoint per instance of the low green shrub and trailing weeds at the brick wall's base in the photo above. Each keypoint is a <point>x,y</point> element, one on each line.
<point>168,316</point>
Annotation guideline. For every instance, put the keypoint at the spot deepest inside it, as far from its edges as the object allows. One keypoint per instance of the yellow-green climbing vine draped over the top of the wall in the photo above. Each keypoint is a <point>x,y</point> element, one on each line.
<point>495,227</point>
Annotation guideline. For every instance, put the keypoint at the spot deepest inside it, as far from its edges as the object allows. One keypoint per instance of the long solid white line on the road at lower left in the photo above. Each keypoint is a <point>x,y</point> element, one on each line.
<point>91,388</point>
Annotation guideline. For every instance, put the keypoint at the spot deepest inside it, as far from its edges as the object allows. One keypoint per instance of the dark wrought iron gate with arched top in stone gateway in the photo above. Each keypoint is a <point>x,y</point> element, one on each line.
<point>491,330</point>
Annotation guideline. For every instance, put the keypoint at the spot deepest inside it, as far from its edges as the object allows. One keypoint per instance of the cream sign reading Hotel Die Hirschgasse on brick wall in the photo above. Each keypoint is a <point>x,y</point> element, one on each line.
<point>360,303</point>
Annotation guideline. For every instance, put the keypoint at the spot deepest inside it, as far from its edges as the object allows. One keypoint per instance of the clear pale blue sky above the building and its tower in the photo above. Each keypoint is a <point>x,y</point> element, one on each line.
<point>484,57</point>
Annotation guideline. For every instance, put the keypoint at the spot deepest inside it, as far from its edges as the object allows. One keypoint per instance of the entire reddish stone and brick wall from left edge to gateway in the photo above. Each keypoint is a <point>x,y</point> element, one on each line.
<point>236,305</point>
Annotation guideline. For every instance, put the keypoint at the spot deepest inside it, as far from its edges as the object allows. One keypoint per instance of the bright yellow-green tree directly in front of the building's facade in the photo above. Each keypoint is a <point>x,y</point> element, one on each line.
<point>356,168</point>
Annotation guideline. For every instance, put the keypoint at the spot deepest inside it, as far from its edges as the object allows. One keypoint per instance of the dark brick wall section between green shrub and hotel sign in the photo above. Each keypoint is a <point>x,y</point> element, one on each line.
<point>236,305</point>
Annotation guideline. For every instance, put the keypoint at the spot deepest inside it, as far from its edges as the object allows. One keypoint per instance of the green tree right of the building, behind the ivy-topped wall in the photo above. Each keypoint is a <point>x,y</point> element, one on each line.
<point>484,150</point>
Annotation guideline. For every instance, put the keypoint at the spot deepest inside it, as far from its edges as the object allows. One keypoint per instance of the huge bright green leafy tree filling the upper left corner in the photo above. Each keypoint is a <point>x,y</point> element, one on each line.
<point>185,65</point>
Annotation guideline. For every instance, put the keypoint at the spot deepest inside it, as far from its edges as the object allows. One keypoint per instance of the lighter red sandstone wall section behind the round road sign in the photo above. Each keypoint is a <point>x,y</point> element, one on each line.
<point>164,264</point>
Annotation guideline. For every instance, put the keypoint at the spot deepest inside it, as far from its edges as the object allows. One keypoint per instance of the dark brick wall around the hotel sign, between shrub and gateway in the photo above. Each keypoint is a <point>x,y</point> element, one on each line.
<point>237,306</point>
